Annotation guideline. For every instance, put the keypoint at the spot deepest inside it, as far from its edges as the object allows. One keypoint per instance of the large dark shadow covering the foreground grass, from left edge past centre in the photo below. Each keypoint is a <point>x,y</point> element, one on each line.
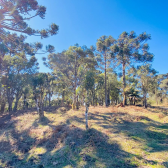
<point>65,146</point>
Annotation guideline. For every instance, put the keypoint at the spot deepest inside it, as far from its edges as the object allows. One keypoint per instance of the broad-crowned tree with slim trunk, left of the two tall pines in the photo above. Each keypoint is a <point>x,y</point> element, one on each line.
<point>71,64</point>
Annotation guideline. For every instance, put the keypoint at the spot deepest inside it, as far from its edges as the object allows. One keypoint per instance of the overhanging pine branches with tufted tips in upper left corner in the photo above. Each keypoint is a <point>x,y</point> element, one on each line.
<point>14,15</point>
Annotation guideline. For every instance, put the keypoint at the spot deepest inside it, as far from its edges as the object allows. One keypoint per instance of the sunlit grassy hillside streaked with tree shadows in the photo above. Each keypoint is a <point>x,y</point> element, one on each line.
<point>118,137</point>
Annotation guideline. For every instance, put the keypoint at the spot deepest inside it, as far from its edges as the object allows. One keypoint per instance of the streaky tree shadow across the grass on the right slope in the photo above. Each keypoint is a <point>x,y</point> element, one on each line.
<point>139,128</point>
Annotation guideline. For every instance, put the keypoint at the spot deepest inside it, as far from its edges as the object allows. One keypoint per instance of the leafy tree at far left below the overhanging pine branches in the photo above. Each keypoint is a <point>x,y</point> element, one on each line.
<point>16,70</point>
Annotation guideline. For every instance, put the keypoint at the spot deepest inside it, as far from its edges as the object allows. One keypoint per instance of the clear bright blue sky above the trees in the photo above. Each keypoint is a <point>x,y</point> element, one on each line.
<point>84,21</point>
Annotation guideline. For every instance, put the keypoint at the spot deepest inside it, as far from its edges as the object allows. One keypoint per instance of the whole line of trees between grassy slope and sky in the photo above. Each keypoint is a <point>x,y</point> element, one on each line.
<point>109,72</point>
